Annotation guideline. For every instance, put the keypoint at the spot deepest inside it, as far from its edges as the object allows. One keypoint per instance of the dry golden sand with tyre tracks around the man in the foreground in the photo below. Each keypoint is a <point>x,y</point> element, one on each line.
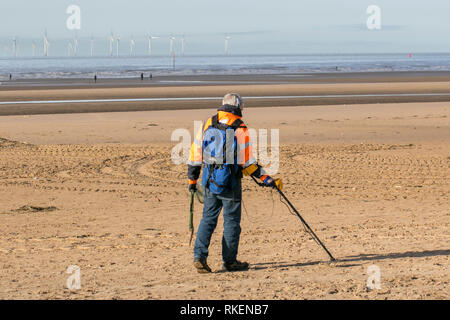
<point>99,191</point>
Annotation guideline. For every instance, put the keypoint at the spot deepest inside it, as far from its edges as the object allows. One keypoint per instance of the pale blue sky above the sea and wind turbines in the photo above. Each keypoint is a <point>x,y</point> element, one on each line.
<point>256,26</point>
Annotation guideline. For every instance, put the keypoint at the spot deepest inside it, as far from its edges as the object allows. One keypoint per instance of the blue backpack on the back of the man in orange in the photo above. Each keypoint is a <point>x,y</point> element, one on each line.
<point>219,147</point>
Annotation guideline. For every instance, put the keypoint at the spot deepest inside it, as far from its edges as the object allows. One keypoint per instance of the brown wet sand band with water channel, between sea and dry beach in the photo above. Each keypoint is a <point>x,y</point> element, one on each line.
<point>200,92</point>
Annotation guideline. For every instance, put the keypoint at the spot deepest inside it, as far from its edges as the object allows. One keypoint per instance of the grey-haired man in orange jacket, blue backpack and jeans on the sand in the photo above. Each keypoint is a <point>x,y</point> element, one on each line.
<point>222,183</point>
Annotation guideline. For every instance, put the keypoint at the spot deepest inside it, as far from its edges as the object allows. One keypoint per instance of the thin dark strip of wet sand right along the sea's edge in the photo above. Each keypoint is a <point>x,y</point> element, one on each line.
<point>219,79</point>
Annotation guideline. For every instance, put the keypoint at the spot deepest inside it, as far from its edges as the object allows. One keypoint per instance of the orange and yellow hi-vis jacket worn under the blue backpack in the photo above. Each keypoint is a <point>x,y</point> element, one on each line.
<point>226,115</point>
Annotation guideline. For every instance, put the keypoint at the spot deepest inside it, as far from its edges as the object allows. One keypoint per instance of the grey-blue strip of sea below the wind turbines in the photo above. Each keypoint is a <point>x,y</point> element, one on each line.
<point>133,66</point>
